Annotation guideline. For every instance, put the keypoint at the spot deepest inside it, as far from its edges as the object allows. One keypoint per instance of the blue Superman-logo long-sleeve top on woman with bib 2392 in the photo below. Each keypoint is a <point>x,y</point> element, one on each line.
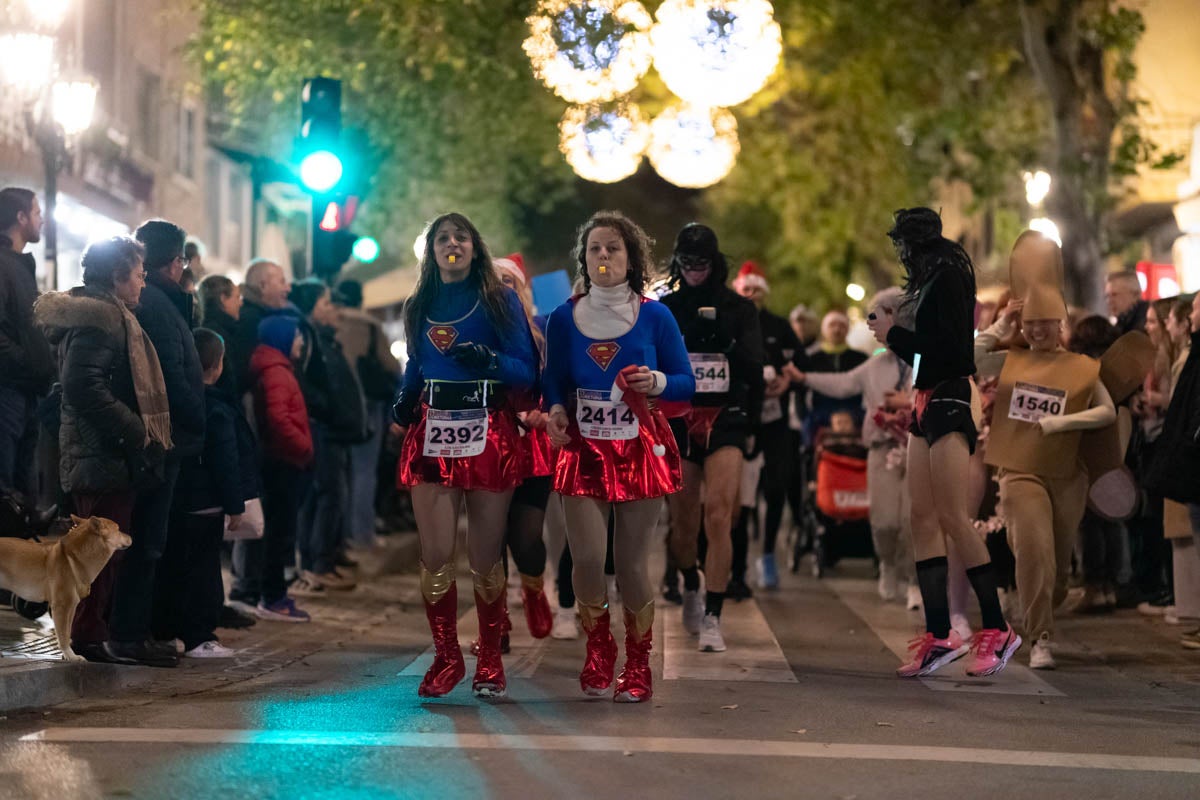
<point>459,317</point>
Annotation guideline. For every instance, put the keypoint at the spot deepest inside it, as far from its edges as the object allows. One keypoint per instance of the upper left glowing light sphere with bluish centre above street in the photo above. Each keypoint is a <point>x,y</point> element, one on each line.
<point>590,51</point>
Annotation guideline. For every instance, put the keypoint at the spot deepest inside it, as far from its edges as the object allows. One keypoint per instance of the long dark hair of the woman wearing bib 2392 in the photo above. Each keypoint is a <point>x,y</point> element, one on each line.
<point>483,278</point>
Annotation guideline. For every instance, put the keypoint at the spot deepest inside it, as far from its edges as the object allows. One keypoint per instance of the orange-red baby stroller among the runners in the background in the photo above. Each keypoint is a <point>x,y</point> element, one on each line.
<point>837,504</point>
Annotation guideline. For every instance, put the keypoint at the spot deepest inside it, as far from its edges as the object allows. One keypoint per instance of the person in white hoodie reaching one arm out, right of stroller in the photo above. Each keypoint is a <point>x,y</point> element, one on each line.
<point>885,382</point>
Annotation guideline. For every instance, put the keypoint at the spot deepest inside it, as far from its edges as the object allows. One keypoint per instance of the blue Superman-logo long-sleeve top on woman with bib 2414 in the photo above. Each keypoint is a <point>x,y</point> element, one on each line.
<point>575,362</point>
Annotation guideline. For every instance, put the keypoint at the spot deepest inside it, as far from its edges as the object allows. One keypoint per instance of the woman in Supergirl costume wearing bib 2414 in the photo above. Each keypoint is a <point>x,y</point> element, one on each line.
<point>613,356</point>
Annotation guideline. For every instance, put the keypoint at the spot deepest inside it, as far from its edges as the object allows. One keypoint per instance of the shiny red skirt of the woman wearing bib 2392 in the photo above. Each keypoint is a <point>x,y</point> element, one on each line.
<point>503,465</point>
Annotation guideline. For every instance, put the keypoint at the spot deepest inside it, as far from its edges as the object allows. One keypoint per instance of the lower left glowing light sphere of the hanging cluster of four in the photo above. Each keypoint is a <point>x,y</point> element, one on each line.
<point>604,145</point>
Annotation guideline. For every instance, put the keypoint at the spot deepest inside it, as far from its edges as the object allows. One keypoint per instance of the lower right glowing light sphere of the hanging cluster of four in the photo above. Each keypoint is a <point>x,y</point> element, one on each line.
<point>694,147</point>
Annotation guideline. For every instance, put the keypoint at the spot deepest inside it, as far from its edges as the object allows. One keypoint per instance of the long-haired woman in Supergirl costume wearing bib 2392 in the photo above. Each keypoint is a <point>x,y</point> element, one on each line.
<point>471,356</point>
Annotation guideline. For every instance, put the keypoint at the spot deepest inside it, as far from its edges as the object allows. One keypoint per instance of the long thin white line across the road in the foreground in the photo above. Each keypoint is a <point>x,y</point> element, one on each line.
<point>628,745</point>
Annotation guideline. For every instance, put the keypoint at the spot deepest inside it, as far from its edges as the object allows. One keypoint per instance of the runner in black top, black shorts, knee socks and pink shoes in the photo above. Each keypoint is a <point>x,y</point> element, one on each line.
<point>941,293</point>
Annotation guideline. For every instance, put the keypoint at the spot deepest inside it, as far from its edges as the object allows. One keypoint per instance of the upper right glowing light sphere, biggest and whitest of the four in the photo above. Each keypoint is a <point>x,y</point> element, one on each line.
<point>716,52</point>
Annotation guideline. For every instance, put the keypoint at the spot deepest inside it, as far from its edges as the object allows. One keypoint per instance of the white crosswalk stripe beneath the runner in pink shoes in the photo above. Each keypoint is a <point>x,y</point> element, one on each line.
<point>892,624</point>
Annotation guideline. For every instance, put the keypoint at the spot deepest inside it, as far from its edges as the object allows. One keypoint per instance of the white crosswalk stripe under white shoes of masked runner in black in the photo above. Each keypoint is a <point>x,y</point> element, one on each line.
<point>754,654</point>
